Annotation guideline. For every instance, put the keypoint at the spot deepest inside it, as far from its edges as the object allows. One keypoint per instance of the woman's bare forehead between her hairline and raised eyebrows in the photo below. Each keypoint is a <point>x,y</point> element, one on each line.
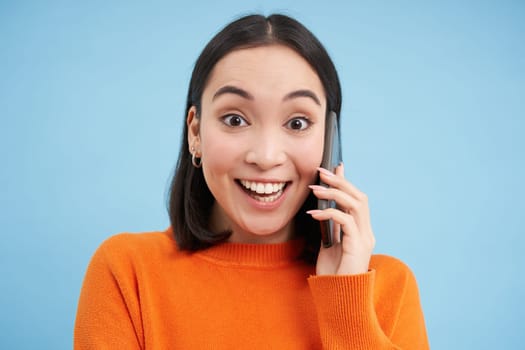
<point>275,67</point>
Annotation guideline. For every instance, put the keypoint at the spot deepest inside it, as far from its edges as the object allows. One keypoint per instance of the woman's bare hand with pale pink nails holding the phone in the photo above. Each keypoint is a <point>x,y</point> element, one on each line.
<point>350,254</point>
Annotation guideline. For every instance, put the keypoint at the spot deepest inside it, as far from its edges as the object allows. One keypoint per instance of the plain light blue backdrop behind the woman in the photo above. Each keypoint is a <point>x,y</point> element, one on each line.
<point>92,102</point>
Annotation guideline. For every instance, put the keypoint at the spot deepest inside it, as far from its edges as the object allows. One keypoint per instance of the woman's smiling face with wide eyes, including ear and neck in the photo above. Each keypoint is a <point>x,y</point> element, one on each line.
<point>260,135</point>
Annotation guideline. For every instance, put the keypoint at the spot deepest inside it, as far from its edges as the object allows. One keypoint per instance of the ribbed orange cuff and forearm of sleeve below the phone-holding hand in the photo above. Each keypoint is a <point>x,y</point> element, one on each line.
<point>346,313</point>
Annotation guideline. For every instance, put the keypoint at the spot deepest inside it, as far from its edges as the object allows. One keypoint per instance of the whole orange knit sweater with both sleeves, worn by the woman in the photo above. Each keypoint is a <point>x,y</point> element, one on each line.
<point>141,292</point>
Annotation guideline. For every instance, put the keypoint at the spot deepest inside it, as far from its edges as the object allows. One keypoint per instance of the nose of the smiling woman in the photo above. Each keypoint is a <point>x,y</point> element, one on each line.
<point>266,150</point>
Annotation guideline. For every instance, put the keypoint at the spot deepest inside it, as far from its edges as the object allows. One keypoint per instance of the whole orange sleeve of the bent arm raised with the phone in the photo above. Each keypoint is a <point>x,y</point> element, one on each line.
<point>379,309</point>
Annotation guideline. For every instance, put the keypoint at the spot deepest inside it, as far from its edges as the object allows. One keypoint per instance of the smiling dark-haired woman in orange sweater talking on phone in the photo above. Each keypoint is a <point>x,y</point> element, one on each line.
<point>241,265</point>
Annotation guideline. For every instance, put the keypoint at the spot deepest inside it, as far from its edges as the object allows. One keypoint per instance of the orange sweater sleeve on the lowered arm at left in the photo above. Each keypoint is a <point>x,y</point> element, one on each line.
<point>108,317</point>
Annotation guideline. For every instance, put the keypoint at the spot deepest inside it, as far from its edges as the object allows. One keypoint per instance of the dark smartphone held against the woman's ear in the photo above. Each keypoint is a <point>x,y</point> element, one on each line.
<point>332,157</point>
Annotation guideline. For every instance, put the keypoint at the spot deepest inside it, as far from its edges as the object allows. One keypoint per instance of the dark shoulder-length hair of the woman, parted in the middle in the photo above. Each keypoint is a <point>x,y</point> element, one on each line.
<point>190,200</point>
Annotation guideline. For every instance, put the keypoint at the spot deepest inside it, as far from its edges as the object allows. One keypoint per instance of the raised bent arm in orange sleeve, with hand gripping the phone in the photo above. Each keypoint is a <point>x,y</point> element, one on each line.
<point>357,306</point>
